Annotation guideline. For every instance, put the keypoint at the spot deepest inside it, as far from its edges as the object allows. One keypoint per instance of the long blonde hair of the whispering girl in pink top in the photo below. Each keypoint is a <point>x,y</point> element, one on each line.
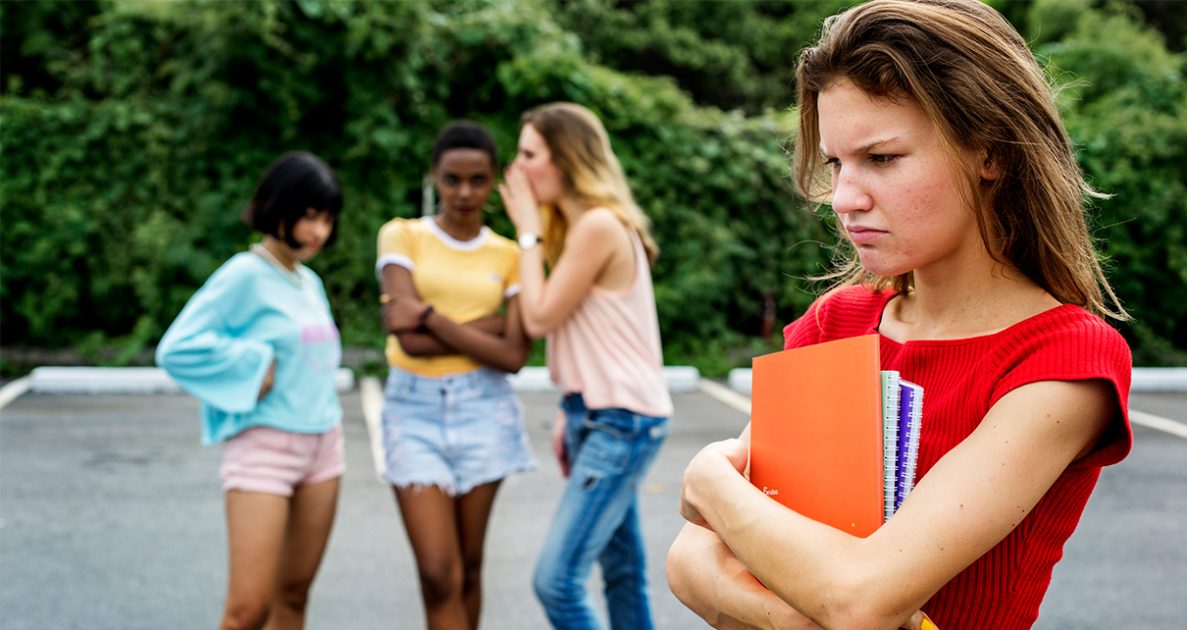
<point>591,174</point>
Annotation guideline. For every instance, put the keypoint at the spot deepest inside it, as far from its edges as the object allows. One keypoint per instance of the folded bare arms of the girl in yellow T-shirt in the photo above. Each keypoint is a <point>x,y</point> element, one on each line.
<point>497,342</point>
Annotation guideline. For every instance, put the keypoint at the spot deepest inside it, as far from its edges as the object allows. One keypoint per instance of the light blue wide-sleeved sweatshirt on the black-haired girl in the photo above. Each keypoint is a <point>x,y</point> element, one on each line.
<point>247,315</point>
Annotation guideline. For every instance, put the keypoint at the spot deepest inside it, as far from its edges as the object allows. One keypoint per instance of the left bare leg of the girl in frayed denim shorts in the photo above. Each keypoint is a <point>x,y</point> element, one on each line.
<point>430,518</point>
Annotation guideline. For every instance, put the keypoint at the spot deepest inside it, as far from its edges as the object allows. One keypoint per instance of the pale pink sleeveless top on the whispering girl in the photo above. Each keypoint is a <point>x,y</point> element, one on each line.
<point>610,348</point>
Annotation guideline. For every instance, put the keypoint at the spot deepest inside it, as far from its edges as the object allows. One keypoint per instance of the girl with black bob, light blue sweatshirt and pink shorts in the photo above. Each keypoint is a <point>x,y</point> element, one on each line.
<point>258,347</point>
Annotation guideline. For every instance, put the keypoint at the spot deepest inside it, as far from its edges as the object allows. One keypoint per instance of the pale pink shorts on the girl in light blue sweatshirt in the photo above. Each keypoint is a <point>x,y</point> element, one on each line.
<point>275,462</point>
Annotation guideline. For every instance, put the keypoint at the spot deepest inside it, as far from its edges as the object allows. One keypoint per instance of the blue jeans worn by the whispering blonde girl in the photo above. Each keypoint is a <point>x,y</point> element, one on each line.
<point>610,453</point>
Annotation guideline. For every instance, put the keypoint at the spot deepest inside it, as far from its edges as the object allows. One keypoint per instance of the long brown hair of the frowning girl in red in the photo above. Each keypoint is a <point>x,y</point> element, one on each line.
<point>976,80</point>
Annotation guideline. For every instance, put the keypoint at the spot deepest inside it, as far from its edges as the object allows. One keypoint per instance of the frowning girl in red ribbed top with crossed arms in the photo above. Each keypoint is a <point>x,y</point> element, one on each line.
<point>955,182</point>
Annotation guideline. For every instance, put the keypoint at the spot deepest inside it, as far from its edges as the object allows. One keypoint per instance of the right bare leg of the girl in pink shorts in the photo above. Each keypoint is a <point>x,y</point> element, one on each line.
<point>310,521</point>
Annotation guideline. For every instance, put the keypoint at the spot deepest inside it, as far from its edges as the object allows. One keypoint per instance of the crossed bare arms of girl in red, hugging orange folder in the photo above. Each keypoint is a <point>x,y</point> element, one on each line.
<point>745,561</point>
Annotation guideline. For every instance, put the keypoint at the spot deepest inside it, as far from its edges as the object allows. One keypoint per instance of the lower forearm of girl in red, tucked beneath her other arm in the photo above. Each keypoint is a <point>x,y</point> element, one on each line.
<point>706,576</point>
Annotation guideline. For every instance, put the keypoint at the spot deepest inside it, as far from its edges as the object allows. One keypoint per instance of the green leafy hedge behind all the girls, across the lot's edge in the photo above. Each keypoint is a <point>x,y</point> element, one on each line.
<point>134,133</point>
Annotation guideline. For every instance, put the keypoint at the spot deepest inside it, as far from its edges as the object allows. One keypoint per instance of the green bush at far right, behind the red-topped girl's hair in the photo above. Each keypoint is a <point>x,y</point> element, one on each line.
<point>1126,106</point>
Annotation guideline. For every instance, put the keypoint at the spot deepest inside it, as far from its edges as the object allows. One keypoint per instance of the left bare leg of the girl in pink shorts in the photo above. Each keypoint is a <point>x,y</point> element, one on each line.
<point>256,532</point>
